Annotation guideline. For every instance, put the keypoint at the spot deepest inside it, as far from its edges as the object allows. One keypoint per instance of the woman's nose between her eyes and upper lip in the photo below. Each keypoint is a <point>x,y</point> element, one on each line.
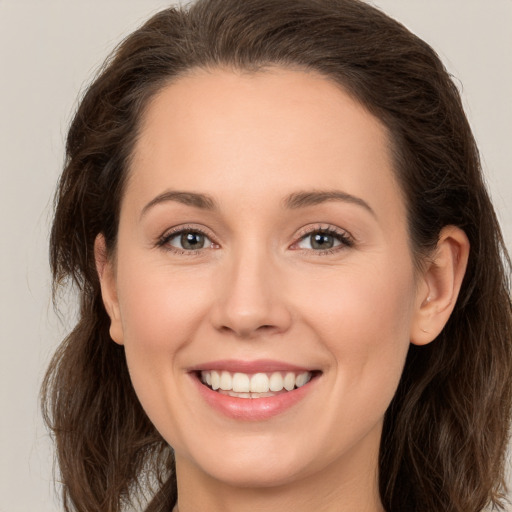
<point>251,297</point>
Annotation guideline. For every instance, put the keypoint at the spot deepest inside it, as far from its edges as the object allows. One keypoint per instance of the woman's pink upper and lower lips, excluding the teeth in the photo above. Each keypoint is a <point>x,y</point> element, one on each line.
<point>251,409</point>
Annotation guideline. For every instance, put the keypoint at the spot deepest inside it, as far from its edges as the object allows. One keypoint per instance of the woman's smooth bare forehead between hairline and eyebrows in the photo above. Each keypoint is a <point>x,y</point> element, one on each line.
<point>257,134</point>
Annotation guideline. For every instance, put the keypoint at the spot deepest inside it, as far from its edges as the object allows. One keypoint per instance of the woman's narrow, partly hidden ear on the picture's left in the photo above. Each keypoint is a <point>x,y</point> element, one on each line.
<point>106,275</point>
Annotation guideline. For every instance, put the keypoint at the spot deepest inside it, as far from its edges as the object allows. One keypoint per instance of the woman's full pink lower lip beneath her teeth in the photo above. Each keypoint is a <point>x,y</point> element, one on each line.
<point>252,409</point>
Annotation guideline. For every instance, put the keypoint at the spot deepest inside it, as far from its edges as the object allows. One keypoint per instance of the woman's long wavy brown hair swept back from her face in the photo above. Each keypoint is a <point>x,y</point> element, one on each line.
<point>446,430</point>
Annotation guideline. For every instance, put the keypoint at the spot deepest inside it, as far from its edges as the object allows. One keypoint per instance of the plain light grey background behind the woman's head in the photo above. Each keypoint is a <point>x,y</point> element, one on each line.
<point>49,50</point>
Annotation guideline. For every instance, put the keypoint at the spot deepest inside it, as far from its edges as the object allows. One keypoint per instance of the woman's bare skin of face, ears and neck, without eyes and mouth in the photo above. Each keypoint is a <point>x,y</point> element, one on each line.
<point>259,290</point>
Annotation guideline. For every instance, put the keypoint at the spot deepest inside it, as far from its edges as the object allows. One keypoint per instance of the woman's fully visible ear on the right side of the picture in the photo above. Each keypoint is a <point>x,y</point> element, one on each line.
<point>439,285</point>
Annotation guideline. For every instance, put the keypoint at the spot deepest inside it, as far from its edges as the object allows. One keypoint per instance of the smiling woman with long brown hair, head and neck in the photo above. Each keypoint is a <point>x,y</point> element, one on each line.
<point>289,269</point>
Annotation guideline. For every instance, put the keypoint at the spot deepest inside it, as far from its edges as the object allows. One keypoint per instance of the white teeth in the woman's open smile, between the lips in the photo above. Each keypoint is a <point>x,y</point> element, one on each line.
<point>257,385</point>
